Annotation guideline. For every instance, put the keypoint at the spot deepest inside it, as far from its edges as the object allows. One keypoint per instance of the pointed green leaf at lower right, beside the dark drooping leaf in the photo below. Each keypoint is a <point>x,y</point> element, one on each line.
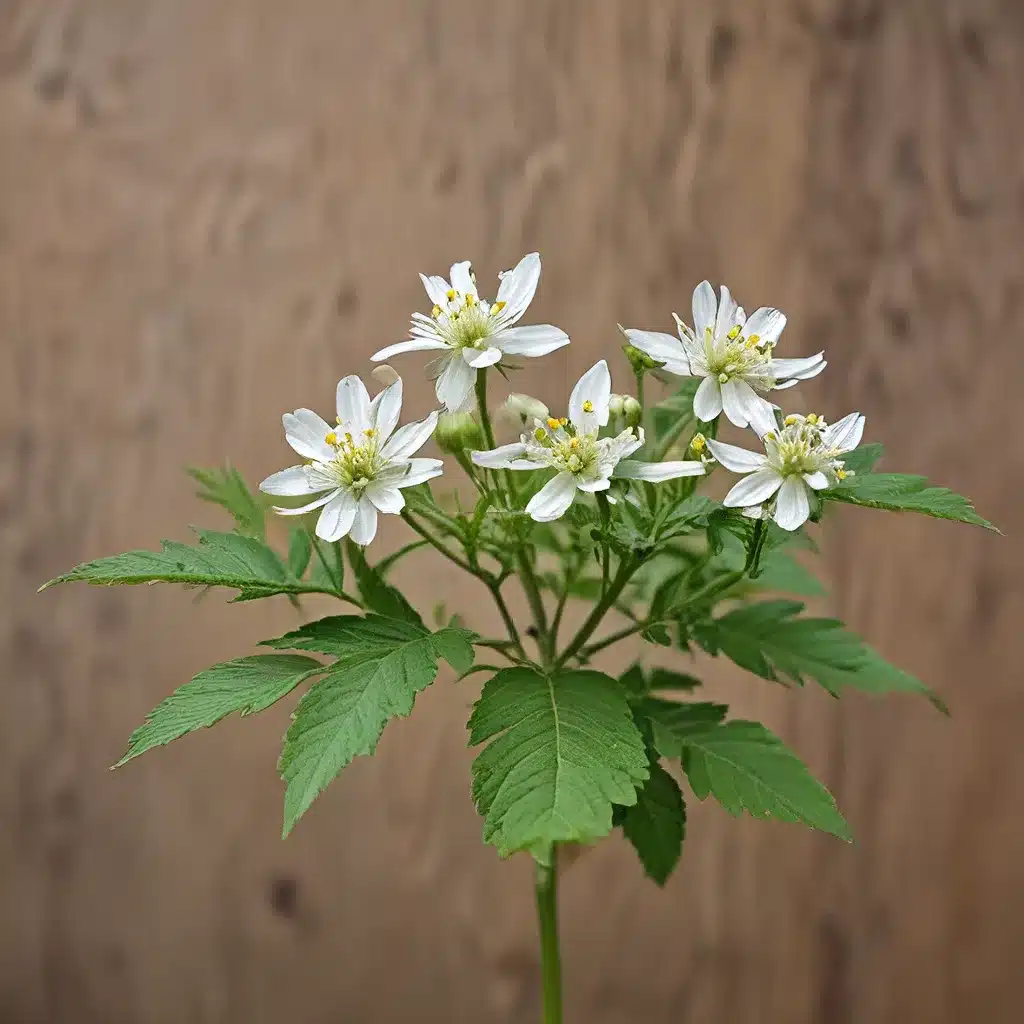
<point>748,769</point>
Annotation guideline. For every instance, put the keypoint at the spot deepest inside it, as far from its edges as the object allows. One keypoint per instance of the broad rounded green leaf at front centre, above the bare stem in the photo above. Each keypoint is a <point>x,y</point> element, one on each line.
<point>563,751</point>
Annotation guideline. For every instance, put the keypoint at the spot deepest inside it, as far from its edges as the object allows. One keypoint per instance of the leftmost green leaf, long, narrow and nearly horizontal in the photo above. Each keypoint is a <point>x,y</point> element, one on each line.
<point>219,561</point>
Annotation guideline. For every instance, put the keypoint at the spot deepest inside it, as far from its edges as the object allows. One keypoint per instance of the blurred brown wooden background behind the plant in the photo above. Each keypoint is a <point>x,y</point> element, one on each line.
<point>209,211</point>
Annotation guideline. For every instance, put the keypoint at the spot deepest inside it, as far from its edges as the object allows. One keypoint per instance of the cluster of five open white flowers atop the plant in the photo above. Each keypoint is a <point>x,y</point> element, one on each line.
<point>359,467</point>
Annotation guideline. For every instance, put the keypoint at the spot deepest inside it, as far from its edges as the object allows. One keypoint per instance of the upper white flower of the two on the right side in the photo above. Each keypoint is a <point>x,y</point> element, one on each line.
<point>734,355</point>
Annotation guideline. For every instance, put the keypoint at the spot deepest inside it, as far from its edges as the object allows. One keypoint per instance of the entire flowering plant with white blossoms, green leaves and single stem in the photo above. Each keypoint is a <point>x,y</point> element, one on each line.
<point>596,504</point>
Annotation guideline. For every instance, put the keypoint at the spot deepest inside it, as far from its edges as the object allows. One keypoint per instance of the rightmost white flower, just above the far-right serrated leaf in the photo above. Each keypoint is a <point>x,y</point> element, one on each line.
<point>804,456</point>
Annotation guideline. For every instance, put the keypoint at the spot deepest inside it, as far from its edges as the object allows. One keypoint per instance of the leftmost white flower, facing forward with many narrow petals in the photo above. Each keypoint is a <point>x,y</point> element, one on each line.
<point>362,464</point>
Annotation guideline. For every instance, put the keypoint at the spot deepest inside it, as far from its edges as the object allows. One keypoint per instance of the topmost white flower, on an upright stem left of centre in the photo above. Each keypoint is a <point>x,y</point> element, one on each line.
<point>474,333</point>
